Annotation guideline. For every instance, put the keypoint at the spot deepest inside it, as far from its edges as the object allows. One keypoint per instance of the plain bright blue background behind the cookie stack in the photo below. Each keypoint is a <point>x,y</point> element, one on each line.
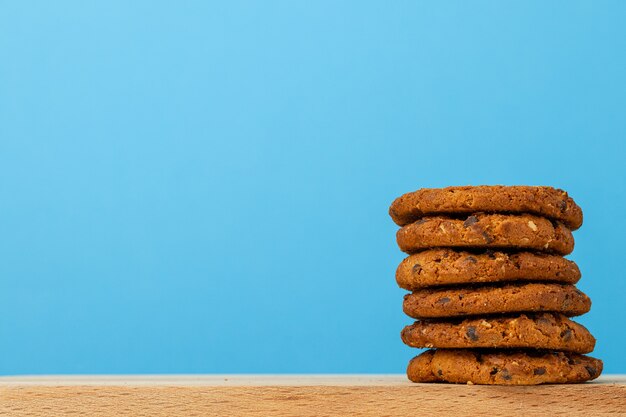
<point>203,186</point>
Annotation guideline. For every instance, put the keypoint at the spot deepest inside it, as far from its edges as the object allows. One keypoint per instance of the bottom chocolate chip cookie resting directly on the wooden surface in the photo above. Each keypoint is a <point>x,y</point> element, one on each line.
<point>502,367</point>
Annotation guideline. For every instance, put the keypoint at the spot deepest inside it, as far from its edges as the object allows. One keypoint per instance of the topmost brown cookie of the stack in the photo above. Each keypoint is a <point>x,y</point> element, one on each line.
<point>542,201</point>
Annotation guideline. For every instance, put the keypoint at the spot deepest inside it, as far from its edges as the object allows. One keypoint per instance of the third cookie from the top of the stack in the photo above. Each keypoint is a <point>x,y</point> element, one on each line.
<point>451,267</point>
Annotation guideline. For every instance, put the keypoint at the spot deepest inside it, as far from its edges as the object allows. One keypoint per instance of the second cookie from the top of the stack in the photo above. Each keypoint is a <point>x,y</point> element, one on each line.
<point>488,231</point>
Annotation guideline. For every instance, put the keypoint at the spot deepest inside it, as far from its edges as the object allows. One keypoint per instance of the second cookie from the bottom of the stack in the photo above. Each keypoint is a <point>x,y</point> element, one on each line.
<point>549,331</point>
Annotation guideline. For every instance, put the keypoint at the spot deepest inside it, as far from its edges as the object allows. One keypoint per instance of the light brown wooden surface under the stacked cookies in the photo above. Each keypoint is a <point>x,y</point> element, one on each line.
<point>366,395</point>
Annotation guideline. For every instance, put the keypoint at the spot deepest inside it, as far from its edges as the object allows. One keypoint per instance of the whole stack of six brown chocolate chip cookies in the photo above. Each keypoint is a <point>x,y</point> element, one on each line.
<point>490,289</point>
